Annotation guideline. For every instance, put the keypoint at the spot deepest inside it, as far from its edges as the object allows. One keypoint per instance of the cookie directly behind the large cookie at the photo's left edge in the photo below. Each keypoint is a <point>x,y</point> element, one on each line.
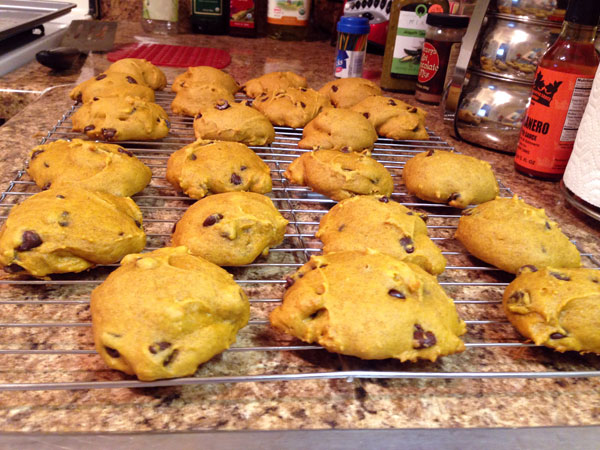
<point>90,165</point>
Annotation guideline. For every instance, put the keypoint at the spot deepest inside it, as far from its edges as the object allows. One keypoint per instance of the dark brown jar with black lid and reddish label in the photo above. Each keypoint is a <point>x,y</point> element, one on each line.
<point>440,51</point>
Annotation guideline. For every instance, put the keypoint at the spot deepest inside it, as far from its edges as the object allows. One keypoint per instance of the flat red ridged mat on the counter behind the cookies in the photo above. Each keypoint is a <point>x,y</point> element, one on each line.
<point>173,55</point>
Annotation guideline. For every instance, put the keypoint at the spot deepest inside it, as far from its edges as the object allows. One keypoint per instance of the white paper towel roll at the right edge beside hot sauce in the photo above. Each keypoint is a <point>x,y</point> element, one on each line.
<point>582,175</point>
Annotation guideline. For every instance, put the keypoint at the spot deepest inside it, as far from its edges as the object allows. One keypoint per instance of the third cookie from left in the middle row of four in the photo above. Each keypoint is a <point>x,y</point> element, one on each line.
<point>340,175</point>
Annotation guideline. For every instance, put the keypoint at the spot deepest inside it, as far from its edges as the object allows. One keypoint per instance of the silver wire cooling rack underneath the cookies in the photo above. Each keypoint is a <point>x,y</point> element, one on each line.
<point>45,325</point>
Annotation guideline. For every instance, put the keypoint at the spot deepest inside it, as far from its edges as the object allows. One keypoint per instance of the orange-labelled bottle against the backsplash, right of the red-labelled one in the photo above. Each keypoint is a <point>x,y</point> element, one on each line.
<point>288,20</point>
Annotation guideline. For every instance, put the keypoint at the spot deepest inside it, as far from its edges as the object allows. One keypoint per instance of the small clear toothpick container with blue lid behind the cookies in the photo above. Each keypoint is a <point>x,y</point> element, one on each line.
<point>351,46</point>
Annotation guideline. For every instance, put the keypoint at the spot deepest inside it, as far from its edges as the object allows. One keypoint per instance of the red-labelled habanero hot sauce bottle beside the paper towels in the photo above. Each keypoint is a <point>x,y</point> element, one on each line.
<point>561,90</point>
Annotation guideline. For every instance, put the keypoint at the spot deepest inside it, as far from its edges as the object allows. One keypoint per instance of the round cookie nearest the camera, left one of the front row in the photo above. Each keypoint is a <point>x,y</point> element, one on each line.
<point>161,314</point>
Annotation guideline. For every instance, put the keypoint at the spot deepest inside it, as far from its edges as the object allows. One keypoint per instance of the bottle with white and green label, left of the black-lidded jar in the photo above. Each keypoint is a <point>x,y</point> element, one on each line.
<point>404,43</point>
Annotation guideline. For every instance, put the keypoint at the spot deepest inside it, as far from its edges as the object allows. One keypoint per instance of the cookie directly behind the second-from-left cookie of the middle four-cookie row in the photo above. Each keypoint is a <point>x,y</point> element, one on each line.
<point>234,122</point>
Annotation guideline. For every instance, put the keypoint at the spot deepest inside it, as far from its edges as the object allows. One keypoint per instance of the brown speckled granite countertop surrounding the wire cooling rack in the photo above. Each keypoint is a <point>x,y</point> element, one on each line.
<point>312,404</point>
